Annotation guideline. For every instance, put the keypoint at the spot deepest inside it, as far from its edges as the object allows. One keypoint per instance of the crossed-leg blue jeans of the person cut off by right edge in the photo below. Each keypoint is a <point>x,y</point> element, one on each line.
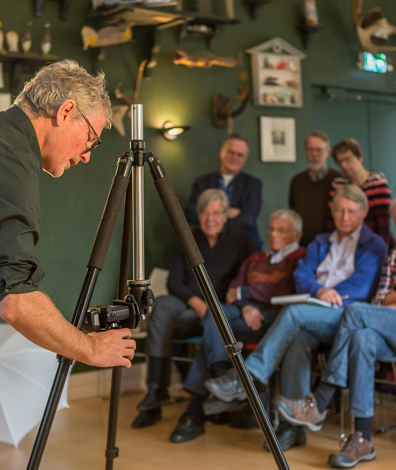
<point>365,333</point>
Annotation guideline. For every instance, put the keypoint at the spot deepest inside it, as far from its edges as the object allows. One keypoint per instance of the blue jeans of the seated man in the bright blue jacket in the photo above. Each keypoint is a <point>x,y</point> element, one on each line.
<point>317,324</point>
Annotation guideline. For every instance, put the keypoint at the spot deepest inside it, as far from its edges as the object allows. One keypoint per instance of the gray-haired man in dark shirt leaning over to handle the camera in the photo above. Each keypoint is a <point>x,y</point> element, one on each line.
<point>51,127</point>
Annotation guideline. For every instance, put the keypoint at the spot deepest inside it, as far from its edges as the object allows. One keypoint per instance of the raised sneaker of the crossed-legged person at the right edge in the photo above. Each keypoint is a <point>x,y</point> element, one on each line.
<point>301,412</point>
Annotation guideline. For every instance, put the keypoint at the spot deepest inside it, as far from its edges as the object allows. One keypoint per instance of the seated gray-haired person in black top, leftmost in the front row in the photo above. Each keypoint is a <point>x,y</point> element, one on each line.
<point>179,314</point>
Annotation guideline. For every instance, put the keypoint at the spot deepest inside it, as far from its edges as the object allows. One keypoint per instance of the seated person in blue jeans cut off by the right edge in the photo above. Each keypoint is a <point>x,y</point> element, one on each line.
<point>365,333</point>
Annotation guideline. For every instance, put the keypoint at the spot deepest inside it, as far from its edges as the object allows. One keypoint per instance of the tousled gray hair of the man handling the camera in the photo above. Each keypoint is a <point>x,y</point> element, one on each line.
<point>55,83</point>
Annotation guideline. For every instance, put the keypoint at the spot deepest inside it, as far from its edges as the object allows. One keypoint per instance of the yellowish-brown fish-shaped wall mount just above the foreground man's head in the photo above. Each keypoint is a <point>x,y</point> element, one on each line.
<point>106,36</point>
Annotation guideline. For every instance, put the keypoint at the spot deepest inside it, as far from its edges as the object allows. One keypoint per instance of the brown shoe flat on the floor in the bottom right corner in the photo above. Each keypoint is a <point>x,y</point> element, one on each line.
<point>356,449</point>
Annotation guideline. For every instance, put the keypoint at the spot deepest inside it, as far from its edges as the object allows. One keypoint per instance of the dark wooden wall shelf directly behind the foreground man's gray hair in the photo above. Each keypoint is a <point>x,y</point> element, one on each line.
<point>17,63</point>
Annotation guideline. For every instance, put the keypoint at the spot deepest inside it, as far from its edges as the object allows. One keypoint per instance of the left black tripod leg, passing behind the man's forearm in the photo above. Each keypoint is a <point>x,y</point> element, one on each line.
<point>95,264</point>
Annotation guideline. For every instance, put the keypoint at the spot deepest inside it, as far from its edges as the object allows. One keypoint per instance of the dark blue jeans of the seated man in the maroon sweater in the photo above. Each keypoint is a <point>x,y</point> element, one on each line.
<point>212,349</point>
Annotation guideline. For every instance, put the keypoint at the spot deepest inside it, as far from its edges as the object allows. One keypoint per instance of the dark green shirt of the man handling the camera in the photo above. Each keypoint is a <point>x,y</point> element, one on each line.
<point>20,169</point>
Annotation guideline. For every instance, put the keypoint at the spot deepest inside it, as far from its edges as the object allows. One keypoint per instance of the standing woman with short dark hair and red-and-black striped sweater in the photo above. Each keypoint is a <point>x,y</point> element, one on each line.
<point>348,155</point>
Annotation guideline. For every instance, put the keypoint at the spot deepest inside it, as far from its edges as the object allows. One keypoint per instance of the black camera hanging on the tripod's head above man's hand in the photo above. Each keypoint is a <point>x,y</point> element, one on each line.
<point>125,313</point>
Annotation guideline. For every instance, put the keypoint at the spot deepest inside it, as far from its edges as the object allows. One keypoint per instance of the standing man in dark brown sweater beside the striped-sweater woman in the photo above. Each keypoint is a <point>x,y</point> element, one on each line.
<point>309,192</point>
